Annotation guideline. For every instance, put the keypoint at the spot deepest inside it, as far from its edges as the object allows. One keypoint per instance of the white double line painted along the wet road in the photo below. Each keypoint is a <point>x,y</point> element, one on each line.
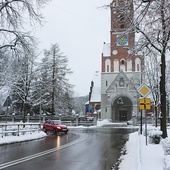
<point>27,158</point>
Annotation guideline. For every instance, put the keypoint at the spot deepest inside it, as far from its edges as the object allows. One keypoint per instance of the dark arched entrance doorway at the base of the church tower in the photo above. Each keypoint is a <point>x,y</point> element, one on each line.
<point>122,109</point>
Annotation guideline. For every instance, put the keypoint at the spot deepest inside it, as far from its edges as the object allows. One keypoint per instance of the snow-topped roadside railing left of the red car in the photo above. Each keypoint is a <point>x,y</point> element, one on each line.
<point>18,128</point>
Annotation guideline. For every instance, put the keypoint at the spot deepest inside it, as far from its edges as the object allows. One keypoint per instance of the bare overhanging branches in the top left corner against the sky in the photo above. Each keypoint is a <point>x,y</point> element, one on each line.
<point>15,18</point>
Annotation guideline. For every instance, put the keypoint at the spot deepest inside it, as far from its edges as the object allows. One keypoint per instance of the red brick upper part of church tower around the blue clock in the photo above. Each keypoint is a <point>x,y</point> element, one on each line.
<point>121,15</point>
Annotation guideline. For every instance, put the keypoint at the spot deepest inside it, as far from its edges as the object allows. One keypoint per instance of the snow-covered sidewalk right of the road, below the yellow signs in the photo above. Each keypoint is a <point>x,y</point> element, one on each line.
<point>140,156</point>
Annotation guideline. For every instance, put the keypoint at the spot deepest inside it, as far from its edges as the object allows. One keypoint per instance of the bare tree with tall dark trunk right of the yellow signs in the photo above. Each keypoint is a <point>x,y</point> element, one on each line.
<point>152,21</point>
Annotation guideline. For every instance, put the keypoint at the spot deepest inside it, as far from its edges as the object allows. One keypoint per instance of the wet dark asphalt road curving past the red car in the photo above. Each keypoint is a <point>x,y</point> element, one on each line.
<point>80,149</point>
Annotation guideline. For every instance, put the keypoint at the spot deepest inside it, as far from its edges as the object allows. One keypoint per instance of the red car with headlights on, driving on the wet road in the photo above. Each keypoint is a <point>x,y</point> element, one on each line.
<point>55,126</point>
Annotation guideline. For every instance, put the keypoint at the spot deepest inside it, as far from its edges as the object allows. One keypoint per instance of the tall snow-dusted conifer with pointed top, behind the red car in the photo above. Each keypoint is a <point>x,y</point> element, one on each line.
<point>53,87</point>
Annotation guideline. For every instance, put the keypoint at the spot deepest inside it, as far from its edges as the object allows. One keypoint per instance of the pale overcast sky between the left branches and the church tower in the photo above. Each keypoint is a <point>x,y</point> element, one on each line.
<point>79,27</point>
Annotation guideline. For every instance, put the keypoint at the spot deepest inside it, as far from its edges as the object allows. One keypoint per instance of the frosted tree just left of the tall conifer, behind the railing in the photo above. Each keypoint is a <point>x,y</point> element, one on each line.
<point>21,82</point>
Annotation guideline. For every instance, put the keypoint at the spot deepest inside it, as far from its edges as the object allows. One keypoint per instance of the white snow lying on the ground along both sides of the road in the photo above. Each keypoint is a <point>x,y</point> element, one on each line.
<point>140,155</point>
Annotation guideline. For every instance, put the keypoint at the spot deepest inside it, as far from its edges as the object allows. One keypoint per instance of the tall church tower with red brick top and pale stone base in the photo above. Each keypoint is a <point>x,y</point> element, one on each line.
<point>121,69</point>
